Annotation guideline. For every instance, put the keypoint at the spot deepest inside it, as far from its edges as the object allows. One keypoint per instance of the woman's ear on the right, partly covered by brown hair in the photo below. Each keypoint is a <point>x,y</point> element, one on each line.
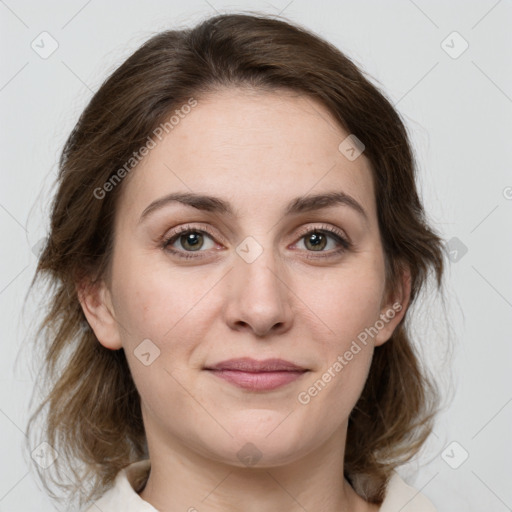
<point>393,308</point>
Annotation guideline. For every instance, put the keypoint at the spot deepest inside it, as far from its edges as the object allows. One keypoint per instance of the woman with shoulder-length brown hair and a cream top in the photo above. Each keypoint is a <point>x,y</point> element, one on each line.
<point>235,243</point>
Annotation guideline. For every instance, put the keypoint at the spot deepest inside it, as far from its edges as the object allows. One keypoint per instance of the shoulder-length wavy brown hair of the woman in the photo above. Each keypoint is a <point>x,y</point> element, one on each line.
<point>92,410</point>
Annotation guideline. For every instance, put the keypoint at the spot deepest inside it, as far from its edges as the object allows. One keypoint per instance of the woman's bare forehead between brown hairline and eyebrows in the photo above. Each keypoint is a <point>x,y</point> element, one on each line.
<point>247,145</point>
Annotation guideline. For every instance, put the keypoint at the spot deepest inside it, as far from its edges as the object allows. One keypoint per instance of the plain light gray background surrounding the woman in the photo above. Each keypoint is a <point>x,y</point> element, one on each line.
<point>458,111</point>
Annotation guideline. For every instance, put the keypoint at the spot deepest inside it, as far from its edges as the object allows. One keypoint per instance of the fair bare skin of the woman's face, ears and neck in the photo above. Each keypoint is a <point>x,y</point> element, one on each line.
<point>258,151</point>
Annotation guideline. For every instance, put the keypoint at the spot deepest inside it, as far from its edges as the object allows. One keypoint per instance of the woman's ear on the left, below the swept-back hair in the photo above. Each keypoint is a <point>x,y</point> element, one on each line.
<point>96,303</point>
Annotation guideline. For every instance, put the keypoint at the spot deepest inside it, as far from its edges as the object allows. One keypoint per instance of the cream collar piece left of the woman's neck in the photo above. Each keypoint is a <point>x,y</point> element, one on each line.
<point>123,494</point>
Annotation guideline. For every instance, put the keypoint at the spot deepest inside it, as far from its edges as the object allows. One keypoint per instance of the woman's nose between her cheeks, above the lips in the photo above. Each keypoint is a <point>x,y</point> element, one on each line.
<point>259,299</point>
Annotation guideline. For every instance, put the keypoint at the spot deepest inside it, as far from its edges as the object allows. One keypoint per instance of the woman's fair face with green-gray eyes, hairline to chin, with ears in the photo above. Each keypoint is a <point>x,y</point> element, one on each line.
<point>272,274</point>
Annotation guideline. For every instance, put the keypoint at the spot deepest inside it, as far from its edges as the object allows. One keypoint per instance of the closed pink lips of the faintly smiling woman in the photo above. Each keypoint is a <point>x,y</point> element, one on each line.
<point>256,375</point>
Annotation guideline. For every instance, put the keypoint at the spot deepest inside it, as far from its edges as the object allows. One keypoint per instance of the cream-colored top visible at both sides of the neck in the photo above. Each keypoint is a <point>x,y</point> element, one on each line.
<point>123,496</point>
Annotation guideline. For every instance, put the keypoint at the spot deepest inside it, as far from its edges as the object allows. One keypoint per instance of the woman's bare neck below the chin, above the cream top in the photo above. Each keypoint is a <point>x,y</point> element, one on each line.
<point>181,479</point>
